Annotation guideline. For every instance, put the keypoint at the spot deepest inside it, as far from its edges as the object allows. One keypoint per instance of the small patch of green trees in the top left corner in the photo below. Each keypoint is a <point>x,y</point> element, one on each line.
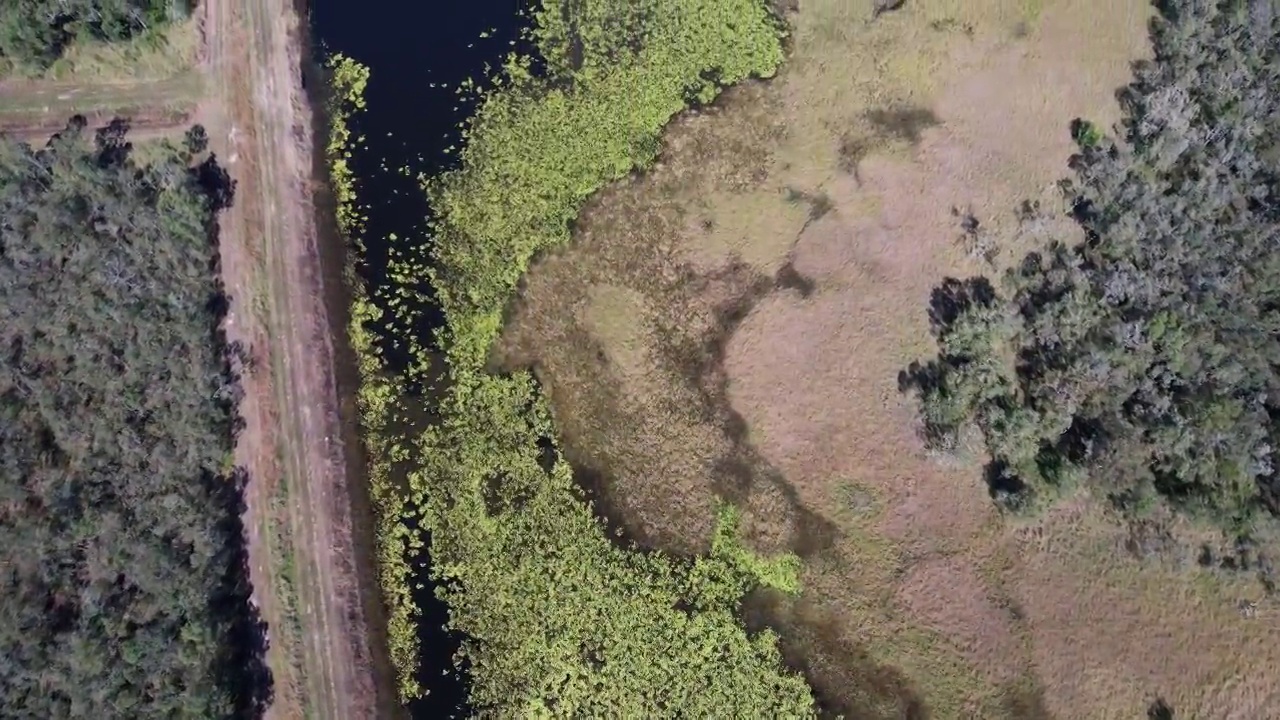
<point>35,33</point>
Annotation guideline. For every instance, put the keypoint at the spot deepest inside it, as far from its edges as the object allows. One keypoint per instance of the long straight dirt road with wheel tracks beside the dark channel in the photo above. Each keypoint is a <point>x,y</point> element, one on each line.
<point>299,514</point>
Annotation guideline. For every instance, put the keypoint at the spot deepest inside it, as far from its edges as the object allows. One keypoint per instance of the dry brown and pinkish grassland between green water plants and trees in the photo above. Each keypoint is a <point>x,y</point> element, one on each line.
<point>735,321</point>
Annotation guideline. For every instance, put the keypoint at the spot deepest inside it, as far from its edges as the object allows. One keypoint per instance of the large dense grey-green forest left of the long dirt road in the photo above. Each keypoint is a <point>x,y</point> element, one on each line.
<point>124,587</point>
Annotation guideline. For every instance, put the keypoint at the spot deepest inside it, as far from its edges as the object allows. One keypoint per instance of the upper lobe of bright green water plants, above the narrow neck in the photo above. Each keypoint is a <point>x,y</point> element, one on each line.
<point>538,149</point>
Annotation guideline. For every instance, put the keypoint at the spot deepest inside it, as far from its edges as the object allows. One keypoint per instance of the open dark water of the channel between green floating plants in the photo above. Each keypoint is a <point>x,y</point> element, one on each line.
<point>409,45</point>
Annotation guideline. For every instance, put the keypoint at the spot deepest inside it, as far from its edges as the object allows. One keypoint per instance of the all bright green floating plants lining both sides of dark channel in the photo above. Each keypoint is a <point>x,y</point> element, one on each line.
<point>560,618</point>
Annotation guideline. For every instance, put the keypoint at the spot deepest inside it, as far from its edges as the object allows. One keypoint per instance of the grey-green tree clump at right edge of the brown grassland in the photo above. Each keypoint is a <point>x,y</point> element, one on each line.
<point>1142,356</point>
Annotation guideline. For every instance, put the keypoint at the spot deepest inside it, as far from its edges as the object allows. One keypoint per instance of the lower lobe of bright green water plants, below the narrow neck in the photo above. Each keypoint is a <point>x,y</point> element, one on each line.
<point>561,619</point>
